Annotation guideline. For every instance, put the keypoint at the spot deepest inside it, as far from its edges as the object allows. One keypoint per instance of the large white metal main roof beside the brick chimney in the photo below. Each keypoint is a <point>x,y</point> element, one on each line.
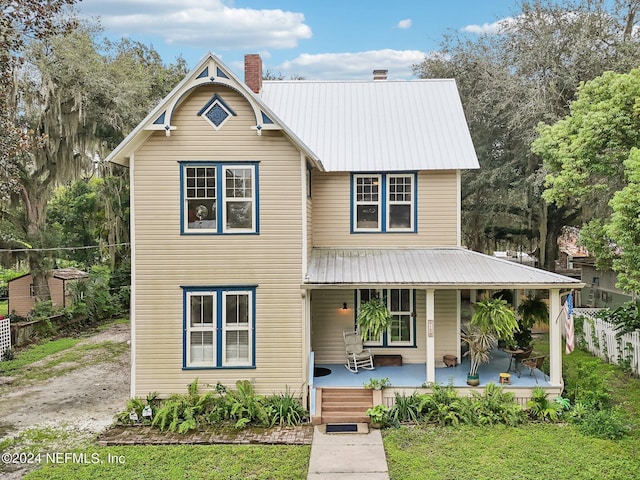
<point>376,125</point>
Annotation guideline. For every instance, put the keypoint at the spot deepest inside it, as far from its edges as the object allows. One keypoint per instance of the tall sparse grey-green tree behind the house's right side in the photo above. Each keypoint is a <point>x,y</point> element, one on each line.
<point>511,81</point>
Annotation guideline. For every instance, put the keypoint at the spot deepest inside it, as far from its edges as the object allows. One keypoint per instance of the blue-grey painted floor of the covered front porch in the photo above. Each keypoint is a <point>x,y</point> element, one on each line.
<point>414,374</point>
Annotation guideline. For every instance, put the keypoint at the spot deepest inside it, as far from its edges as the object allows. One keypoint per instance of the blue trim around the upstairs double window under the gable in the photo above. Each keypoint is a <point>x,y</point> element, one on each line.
<point>220,195</point>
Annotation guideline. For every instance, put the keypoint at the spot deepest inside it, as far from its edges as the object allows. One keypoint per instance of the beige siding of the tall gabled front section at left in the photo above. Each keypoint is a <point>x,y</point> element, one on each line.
<point>165,260</point>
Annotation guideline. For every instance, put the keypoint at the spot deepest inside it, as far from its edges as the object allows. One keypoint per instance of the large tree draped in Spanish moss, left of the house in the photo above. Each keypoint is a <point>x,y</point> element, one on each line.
<point>76,100</point>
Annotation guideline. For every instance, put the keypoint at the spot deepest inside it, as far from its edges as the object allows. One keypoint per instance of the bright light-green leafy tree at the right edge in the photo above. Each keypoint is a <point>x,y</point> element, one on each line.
<point>593,162</point>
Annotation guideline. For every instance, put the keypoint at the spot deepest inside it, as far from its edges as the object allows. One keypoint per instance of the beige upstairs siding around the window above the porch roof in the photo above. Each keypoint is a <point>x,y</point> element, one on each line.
<point>437,213</point>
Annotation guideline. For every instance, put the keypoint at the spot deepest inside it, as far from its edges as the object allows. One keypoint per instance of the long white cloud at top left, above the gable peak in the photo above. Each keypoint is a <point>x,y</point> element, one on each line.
<point>209,24</point>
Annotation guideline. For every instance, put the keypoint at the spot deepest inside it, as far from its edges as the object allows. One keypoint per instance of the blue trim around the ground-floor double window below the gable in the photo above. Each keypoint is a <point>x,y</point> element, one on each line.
<point>218,292</point>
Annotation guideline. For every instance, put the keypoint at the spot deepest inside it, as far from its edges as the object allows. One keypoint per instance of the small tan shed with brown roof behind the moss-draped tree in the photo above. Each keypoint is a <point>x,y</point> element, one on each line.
<point>22,298</point>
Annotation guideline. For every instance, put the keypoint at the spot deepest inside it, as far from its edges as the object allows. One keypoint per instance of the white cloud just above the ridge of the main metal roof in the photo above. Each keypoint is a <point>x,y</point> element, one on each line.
<point>353,66</point>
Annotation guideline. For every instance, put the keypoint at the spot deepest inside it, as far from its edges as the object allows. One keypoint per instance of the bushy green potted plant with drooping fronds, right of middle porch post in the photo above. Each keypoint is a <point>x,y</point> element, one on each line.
<point>492,320</point>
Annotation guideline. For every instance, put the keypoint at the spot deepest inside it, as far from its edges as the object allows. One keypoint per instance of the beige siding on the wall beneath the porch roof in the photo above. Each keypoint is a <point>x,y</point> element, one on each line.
<point>329,320</point>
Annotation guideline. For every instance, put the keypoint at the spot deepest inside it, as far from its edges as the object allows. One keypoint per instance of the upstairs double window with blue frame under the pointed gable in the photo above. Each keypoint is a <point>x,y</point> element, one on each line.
<point>219,198</point>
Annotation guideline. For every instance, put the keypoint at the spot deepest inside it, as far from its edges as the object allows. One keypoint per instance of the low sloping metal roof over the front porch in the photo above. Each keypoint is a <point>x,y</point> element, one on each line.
<point>441,268</point>
